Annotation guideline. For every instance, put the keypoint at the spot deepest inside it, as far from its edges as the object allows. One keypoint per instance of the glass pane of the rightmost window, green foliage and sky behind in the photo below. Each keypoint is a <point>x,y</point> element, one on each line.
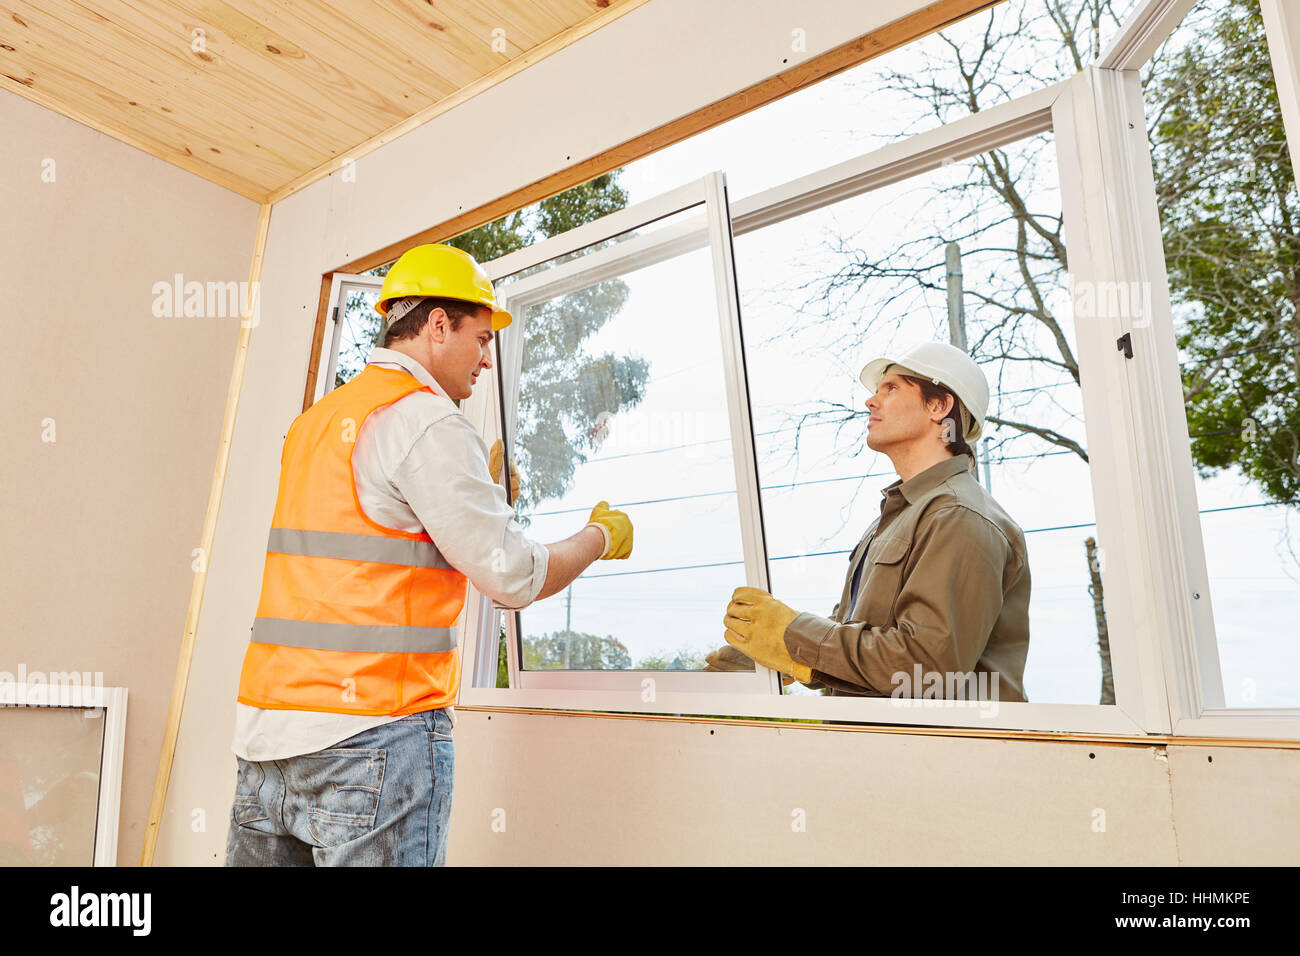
<point>1230,217</point>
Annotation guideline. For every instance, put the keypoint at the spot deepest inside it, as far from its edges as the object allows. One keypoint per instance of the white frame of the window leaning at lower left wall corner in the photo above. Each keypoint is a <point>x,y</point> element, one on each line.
<point>112,703</point>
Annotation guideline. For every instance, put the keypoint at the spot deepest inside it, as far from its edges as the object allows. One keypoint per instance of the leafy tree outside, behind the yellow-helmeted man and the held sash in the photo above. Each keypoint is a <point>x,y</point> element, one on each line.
<point>566,392</point>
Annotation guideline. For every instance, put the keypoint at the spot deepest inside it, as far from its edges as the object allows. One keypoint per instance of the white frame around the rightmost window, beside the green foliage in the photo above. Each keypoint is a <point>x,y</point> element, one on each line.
<point>1185,648</point>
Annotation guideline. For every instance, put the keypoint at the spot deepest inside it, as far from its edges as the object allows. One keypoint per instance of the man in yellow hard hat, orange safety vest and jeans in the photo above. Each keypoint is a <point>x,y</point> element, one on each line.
<point>387,509</point>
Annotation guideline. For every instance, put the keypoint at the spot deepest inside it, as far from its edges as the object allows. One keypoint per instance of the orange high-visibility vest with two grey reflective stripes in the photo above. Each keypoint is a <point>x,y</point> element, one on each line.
<point>354,618</point>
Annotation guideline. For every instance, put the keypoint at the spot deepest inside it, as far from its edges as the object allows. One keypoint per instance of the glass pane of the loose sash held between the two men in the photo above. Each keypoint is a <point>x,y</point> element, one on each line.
<point>622,399</point>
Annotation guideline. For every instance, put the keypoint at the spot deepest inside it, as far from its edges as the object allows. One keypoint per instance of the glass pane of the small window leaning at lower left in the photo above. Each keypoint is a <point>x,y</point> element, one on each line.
<point>50,785</point>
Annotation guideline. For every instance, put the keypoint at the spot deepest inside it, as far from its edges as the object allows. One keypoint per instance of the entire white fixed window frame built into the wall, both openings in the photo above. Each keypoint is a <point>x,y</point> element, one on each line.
<point>1164,652</point>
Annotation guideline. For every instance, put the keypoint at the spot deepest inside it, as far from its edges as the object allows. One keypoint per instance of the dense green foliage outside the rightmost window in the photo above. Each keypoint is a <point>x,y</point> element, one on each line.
<point>1232,223</point>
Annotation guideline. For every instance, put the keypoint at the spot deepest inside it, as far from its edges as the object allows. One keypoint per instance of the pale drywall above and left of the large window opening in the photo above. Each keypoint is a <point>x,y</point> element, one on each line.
<point>653,66</point>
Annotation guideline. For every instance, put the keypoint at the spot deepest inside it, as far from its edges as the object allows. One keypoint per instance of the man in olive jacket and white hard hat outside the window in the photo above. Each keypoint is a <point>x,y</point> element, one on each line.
<point>938,592</point>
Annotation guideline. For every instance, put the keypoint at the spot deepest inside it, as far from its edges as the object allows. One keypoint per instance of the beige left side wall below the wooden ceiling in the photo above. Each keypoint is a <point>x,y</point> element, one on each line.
<point>99,525</point>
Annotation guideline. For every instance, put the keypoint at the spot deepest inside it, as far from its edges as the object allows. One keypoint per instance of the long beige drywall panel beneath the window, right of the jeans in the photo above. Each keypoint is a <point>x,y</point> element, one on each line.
<point>539,790</point>
